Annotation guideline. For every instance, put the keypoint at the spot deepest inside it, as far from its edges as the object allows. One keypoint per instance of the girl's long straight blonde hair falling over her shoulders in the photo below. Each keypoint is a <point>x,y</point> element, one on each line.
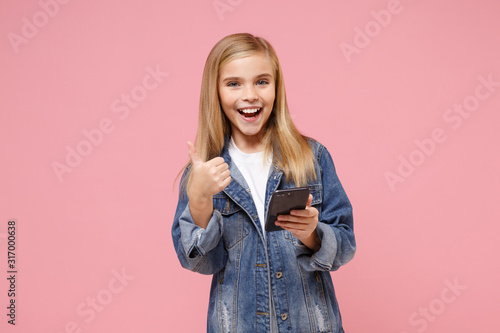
<point>291,150</point>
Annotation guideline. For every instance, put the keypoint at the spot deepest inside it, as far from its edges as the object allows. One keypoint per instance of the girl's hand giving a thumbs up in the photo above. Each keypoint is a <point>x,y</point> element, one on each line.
<point>207,178</point>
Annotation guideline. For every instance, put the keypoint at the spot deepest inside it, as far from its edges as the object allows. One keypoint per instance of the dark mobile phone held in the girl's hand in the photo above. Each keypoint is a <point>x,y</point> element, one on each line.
<point>282,202</point>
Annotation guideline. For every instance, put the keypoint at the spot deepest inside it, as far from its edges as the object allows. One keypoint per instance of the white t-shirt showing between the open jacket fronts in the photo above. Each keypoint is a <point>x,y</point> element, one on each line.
<point>255,169</point>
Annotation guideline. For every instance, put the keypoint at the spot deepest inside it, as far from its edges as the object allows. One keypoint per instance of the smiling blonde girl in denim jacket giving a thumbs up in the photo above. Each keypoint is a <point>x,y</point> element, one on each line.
<point>246,148</point>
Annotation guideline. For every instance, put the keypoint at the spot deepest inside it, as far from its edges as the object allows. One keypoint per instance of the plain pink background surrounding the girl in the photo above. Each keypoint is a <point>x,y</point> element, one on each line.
<point>113,212</point>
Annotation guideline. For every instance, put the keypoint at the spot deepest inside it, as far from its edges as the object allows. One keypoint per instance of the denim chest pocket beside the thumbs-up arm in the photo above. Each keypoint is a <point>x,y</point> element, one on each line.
<point>235,226</point>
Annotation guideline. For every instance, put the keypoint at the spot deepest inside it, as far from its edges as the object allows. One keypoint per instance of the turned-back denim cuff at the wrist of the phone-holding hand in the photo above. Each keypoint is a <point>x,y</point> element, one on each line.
<point>323,259</point>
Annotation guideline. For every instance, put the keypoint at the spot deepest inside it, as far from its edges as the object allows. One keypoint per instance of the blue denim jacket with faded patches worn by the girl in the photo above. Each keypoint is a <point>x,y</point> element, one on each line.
<point>247,267</point>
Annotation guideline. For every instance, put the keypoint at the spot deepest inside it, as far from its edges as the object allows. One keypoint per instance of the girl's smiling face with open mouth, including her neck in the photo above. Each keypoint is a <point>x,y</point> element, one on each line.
<point>246,93</point>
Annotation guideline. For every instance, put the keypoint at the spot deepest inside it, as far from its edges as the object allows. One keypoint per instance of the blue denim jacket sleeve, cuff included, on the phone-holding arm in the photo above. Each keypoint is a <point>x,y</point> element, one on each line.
<point>335,226</point>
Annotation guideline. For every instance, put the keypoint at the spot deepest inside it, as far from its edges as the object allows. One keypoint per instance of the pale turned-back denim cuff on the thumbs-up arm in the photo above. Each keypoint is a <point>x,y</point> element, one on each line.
<point>197,241</point>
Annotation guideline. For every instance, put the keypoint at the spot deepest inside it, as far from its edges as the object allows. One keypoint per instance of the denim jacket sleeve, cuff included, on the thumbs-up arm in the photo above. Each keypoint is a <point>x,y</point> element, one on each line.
<point>200,250</point>
